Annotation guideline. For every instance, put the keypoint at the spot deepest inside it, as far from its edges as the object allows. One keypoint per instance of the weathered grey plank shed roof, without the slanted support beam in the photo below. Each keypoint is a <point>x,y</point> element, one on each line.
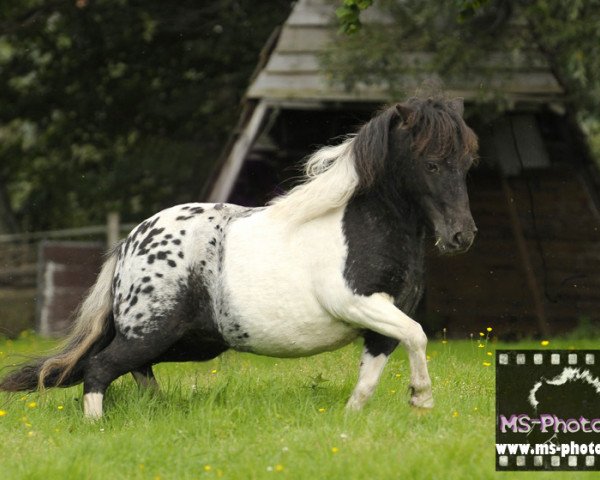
<point>293,72</point>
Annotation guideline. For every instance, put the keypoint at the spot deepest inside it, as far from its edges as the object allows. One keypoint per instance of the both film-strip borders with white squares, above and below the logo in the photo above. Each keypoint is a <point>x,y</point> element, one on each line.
<point>537,359</point>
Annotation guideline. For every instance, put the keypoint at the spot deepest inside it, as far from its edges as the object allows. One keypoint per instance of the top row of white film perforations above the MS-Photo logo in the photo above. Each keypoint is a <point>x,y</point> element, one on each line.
<point>562,357</point>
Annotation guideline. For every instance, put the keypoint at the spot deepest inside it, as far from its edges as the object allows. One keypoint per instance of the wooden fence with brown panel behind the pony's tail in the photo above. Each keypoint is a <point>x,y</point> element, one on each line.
<point>43,275</point>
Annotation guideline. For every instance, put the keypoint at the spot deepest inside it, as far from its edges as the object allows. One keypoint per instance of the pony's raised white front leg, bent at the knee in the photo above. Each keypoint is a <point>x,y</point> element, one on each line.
<point>378,313</point>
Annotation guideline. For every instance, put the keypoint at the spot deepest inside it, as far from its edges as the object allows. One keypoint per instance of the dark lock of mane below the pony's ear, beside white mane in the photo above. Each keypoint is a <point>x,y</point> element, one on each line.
<point>371,146</point>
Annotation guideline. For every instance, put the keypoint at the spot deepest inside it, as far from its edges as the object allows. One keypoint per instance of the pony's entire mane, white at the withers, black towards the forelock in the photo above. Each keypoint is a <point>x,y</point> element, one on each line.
<point>332,175</point>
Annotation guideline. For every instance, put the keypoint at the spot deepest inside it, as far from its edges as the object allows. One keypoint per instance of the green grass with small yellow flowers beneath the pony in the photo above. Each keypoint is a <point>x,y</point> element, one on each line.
<point>244,417</point>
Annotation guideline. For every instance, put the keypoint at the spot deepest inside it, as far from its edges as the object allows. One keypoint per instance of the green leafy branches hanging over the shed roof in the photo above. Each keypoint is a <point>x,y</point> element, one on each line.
<point>460,34</point>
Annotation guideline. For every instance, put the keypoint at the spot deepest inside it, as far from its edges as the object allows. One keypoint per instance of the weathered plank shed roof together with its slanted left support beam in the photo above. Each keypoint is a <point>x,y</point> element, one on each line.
<point>290,75</point>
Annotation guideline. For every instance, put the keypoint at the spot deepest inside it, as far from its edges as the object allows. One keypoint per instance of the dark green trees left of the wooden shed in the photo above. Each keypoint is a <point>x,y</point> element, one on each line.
<point>119,104</point>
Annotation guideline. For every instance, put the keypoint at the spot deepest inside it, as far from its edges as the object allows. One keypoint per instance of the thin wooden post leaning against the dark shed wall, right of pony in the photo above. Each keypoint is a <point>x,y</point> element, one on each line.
<point>538,303</point>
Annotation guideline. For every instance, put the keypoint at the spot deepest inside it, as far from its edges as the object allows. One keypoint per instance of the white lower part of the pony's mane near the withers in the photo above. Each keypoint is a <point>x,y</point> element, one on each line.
<point>330,181</point>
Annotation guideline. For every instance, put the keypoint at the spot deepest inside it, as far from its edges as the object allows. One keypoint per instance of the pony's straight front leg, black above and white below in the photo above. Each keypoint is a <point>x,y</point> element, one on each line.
<point>376,352</point>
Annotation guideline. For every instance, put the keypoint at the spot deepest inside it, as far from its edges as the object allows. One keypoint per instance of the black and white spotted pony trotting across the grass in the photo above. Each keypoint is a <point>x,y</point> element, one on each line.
<point>339,256</point>
